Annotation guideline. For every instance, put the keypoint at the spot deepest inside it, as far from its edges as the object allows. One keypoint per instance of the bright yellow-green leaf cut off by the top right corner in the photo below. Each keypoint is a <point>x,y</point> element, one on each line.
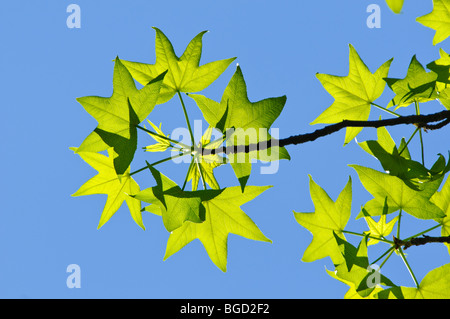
<point>438,19</point>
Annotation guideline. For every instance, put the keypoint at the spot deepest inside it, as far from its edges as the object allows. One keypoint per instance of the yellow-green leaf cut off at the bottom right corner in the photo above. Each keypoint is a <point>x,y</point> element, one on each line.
<point>435,285</point>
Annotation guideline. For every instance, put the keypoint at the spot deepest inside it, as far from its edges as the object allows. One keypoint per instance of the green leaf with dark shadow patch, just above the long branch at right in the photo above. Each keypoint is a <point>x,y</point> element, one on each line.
<point>418,86</point>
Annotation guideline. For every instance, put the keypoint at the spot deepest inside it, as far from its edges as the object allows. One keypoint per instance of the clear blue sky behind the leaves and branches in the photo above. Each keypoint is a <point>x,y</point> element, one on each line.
<point>280,46</point>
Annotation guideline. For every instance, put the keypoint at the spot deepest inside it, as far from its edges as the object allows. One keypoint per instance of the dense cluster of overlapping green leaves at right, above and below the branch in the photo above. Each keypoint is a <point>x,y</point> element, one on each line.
<point>403,186</point>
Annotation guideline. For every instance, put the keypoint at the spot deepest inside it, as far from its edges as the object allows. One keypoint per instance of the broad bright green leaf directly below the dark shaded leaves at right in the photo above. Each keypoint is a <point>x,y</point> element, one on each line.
<point>396,194</point>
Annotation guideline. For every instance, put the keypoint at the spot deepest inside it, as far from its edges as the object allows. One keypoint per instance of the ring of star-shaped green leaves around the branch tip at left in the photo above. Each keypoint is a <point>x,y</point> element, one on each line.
<point>209,214</point>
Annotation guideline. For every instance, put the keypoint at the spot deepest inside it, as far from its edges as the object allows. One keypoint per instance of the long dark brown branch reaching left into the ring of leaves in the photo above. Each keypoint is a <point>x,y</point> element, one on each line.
<point>422,121</point>
